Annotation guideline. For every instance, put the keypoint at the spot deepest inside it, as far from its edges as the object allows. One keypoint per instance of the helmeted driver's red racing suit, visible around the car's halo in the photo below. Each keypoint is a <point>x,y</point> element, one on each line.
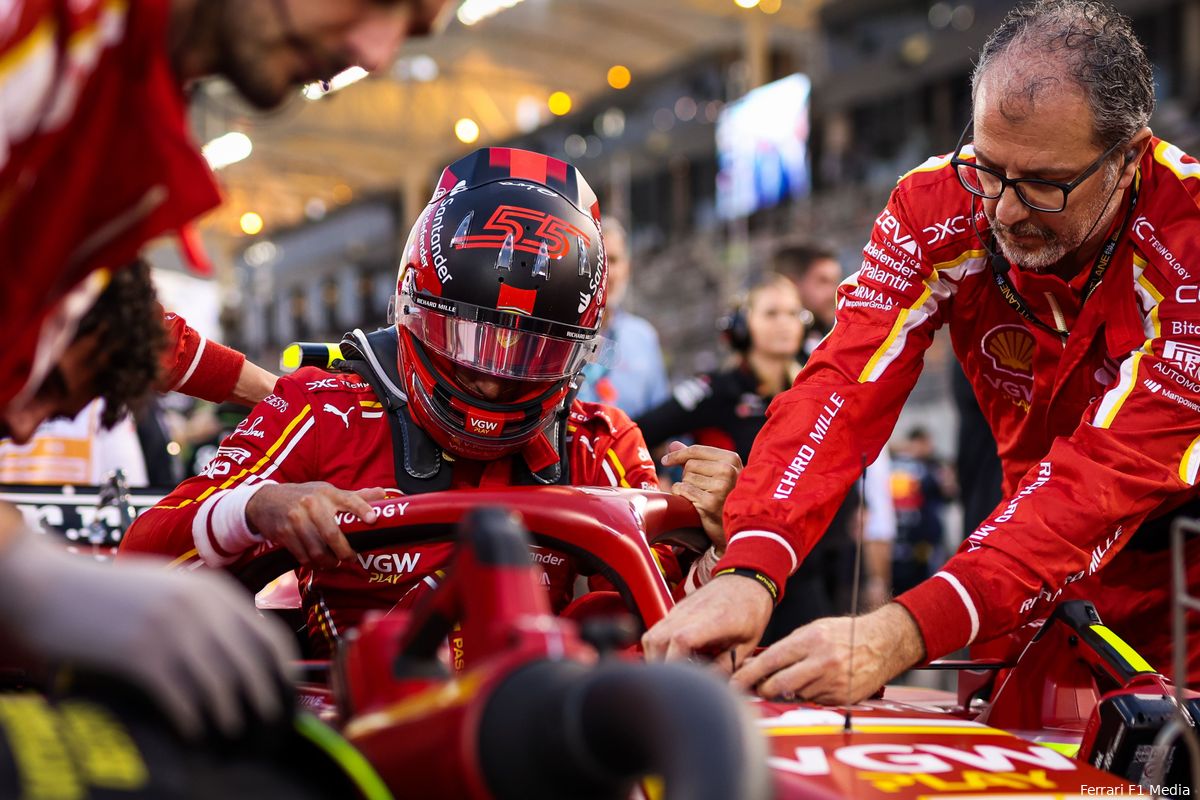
<point>320,426</point>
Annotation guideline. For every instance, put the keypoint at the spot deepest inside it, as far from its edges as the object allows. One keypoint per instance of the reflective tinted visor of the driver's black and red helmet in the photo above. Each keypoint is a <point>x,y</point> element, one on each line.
<point>497,350</point>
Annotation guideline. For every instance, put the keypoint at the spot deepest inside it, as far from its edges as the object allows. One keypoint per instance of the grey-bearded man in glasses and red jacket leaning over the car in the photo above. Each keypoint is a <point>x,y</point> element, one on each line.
<point>1063,250</point>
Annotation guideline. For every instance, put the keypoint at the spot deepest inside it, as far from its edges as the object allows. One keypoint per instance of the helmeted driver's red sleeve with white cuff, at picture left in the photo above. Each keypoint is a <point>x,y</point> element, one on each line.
<point>206,515</point>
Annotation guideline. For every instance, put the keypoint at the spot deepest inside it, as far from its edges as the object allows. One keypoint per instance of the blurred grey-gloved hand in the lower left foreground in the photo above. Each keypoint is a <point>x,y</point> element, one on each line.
<point>193,641</point>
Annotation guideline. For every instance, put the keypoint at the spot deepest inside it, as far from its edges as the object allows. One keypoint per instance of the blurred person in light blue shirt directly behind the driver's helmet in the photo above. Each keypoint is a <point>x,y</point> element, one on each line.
<point>631,376</point>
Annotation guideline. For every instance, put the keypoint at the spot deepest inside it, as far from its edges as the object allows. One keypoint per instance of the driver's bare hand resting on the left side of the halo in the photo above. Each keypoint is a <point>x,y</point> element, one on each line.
<point>302,518</point>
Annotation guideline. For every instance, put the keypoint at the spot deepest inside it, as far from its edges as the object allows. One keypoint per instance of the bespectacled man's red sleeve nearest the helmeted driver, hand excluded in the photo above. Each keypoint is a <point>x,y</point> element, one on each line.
<point>821,434</point>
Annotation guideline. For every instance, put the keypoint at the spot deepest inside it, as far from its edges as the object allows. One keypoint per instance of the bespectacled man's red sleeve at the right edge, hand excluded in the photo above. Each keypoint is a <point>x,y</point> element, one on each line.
<point>1138,449</point>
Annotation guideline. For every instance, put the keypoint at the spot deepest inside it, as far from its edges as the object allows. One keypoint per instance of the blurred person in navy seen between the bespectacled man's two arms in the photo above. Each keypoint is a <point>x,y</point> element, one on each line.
<point>921,488</point>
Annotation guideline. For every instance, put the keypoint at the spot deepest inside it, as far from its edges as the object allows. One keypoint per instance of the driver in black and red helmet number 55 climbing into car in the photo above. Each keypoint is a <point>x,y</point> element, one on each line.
<point>500,302</point>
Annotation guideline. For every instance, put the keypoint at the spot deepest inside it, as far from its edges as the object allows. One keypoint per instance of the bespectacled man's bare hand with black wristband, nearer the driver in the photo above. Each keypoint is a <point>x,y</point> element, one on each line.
<point>729,612</point>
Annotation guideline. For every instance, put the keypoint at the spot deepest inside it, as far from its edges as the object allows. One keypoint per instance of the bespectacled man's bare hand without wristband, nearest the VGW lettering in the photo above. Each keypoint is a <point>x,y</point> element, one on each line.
<point>814,661</point>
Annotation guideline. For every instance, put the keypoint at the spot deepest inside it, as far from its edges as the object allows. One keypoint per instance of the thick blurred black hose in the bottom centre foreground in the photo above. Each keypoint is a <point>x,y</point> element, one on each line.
<point>563,730</point>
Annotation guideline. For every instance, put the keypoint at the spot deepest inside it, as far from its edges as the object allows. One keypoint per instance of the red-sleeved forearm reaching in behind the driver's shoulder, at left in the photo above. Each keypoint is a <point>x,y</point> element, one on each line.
<point>197,366</point>
